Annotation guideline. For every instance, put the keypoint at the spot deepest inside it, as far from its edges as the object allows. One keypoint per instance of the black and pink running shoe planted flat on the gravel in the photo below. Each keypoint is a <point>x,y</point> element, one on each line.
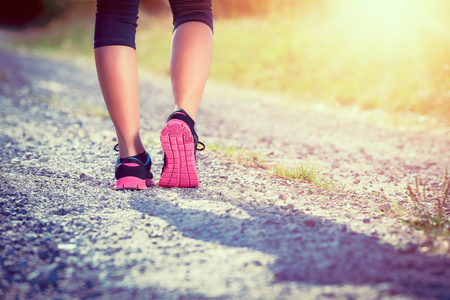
<point>131,173</point>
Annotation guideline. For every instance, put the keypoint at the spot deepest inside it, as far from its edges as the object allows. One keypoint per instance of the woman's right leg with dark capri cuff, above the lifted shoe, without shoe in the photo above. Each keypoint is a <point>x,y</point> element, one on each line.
<point>192,43</point>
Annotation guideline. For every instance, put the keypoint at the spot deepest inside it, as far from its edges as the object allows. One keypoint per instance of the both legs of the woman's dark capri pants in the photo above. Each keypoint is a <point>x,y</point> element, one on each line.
<point>116,20</point>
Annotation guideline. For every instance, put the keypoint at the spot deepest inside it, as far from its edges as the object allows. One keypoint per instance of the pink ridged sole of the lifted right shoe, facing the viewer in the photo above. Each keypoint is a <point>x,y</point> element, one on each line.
<point>178,145</point>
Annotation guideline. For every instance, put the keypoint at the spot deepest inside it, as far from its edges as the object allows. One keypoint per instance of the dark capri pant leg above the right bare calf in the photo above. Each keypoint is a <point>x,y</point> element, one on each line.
<point>191,10</point>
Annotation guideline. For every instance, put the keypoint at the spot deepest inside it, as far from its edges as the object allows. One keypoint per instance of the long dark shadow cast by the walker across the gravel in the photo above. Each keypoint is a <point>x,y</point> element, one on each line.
<point>312,250</point>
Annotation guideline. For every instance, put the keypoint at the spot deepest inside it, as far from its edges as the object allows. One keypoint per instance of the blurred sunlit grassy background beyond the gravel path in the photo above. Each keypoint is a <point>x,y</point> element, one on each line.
<point>374,54</point>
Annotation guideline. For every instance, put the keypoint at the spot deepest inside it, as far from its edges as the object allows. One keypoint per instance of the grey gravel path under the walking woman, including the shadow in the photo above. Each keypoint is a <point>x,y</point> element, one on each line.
<point>243,234</point>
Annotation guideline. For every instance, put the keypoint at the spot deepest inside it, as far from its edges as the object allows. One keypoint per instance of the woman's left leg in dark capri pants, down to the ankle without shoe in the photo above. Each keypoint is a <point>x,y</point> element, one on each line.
<point>115,57</point>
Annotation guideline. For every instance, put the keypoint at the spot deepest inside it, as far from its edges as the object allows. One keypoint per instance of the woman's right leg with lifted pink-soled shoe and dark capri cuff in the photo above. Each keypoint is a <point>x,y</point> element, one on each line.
<point>189,67</point>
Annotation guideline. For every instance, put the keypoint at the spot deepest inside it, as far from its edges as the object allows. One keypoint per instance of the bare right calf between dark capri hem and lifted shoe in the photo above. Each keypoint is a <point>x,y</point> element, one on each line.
<point>192,46</point>
